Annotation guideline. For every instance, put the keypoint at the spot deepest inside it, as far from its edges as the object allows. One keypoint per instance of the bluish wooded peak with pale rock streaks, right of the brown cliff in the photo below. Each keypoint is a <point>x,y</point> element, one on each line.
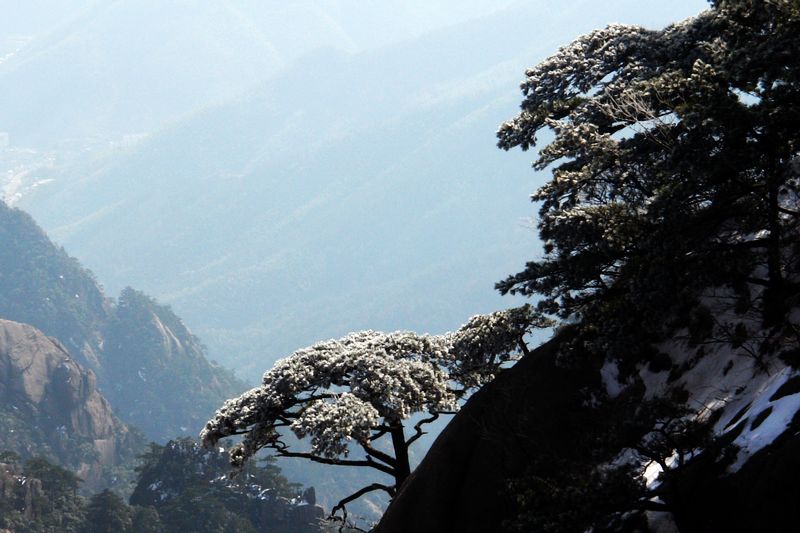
<point>157,374</point>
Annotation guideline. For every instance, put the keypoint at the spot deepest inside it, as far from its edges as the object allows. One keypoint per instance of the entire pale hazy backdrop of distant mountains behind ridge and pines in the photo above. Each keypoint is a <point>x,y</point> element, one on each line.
<point>282,172</point>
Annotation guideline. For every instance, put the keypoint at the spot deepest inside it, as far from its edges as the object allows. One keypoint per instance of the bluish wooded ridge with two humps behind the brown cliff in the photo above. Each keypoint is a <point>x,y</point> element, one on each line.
<point>149,365</point>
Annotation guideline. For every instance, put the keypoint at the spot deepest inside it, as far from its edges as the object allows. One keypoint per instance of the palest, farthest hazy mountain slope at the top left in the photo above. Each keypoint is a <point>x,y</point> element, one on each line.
<point>111,69</point>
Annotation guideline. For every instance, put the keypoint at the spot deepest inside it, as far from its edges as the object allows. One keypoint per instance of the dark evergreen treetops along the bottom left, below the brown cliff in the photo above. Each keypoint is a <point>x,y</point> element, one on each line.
<point>181,488</point>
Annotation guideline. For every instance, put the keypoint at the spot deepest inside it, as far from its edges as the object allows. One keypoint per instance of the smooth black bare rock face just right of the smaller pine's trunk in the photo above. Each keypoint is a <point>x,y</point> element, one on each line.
<point>461,485</point>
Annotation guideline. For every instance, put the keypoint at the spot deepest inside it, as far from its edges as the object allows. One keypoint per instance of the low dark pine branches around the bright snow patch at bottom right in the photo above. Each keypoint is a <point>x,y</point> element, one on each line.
<point>584,483</point>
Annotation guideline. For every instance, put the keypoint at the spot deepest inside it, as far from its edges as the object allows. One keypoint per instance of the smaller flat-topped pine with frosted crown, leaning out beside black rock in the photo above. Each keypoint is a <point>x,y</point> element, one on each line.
<point>362,387</point>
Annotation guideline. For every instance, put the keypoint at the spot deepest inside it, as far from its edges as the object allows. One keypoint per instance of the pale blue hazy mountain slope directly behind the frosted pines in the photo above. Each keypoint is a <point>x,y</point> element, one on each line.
<point>347,192</point>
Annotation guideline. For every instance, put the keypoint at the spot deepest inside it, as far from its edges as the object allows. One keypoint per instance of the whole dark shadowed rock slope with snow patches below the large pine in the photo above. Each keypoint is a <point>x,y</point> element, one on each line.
<point>535,450</point>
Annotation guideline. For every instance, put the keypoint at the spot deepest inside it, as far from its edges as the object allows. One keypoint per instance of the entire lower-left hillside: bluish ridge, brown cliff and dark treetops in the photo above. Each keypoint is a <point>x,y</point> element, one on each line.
<point>67,462</point>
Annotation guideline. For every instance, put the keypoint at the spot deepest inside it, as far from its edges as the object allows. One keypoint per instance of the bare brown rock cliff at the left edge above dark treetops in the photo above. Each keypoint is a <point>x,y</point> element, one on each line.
<point>50,406</point>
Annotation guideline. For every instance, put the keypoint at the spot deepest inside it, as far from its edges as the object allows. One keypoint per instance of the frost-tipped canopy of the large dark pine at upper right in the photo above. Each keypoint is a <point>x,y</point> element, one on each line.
<point>674,161</point>
